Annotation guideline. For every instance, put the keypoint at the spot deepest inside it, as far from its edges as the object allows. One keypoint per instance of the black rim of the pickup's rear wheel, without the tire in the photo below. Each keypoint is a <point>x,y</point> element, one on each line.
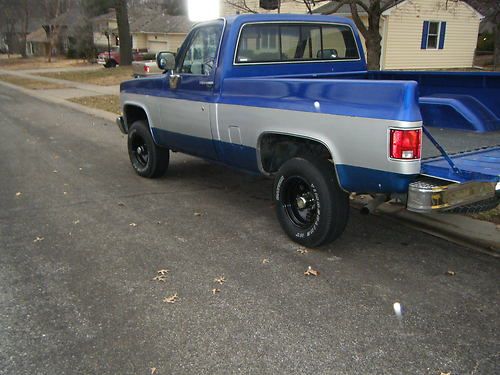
<point>299,202</point>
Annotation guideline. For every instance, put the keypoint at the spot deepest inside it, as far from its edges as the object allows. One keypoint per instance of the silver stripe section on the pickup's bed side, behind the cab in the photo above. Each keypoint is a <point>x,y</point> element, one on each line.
<point>355,141</point>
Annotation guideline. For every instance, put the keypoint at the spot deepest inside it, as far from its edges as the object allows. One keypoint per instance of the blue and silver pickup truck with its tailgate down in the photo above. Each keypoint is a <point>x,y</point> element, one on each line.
<point>290,97</point>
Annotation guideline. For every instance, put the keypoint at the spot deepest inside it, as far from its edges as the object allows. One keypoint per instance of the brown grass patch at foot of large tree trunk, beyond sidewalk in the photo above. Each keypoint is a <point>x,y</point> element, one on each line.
<point>102,77</point>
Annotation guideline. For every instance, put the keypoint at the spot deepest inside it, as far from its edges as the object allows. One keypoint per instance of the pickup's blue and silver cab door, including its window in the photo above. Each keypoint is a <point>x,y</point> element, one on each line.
<point>186,113</point>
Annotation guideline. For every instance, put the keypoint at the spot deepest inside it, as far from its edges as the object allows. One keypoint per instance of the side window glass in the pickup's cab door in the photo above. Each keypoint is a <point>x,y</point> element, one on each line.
<point>199,57</point>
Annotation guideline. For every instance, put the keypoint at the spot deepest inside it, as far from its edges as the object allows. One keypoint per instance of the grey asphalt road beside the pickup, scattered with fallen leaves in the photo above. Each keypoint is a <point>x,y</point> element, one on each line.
<point>81,299</point>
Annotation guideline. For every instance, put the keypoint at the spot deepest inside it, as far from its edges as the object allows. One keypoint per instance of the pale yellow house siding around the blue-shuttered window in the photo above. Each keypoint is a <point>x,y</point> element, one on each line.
<point>403,35</point>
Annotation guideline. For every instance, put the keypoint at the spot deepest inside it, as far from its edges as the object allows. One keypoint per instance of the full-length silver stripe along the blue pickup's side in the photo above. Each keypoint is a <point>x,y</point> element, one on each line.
<point>355,141</point>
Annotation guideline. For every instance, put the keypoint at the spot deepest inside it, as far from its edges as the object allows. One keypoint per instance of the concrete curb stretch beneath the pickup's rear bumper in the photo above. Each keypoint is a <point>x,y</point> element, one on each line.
<point>476,234</point>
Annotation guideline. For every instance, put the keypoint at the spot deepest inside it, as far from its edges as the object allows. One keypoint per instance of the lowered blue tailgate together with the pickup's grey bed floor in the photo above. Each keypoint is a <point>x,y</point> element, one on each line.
<point>475,155</point>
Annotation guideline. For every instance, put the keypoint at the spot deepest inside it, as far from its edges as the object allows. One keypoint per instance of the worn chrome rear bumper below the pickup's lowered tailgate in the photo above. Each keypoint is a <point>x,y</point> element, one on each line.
<point>433,195</point>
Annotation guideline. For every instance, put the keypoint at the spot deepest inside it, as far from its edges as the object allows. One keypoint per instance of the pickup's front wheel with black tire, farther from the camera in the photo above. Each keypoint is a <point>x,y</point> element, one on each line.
<point>148,159</point>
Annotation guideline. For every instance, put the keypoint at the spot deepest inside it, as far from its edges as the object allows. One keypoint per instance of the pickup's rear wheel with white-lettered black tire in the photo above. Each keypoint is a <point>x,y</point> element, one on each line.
<point>311,207</point>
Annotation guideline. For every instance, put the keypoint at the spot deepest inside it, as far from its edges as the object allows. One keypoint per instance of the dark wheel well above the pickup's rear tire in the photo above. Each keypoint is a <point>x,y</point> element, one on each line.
<point>275,149</point>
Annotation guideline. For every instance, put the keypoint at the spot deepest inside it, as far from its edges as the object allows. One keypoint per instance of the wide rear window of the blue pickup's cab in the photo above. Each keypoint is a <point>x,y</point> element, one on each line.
<point>282,42</point>
